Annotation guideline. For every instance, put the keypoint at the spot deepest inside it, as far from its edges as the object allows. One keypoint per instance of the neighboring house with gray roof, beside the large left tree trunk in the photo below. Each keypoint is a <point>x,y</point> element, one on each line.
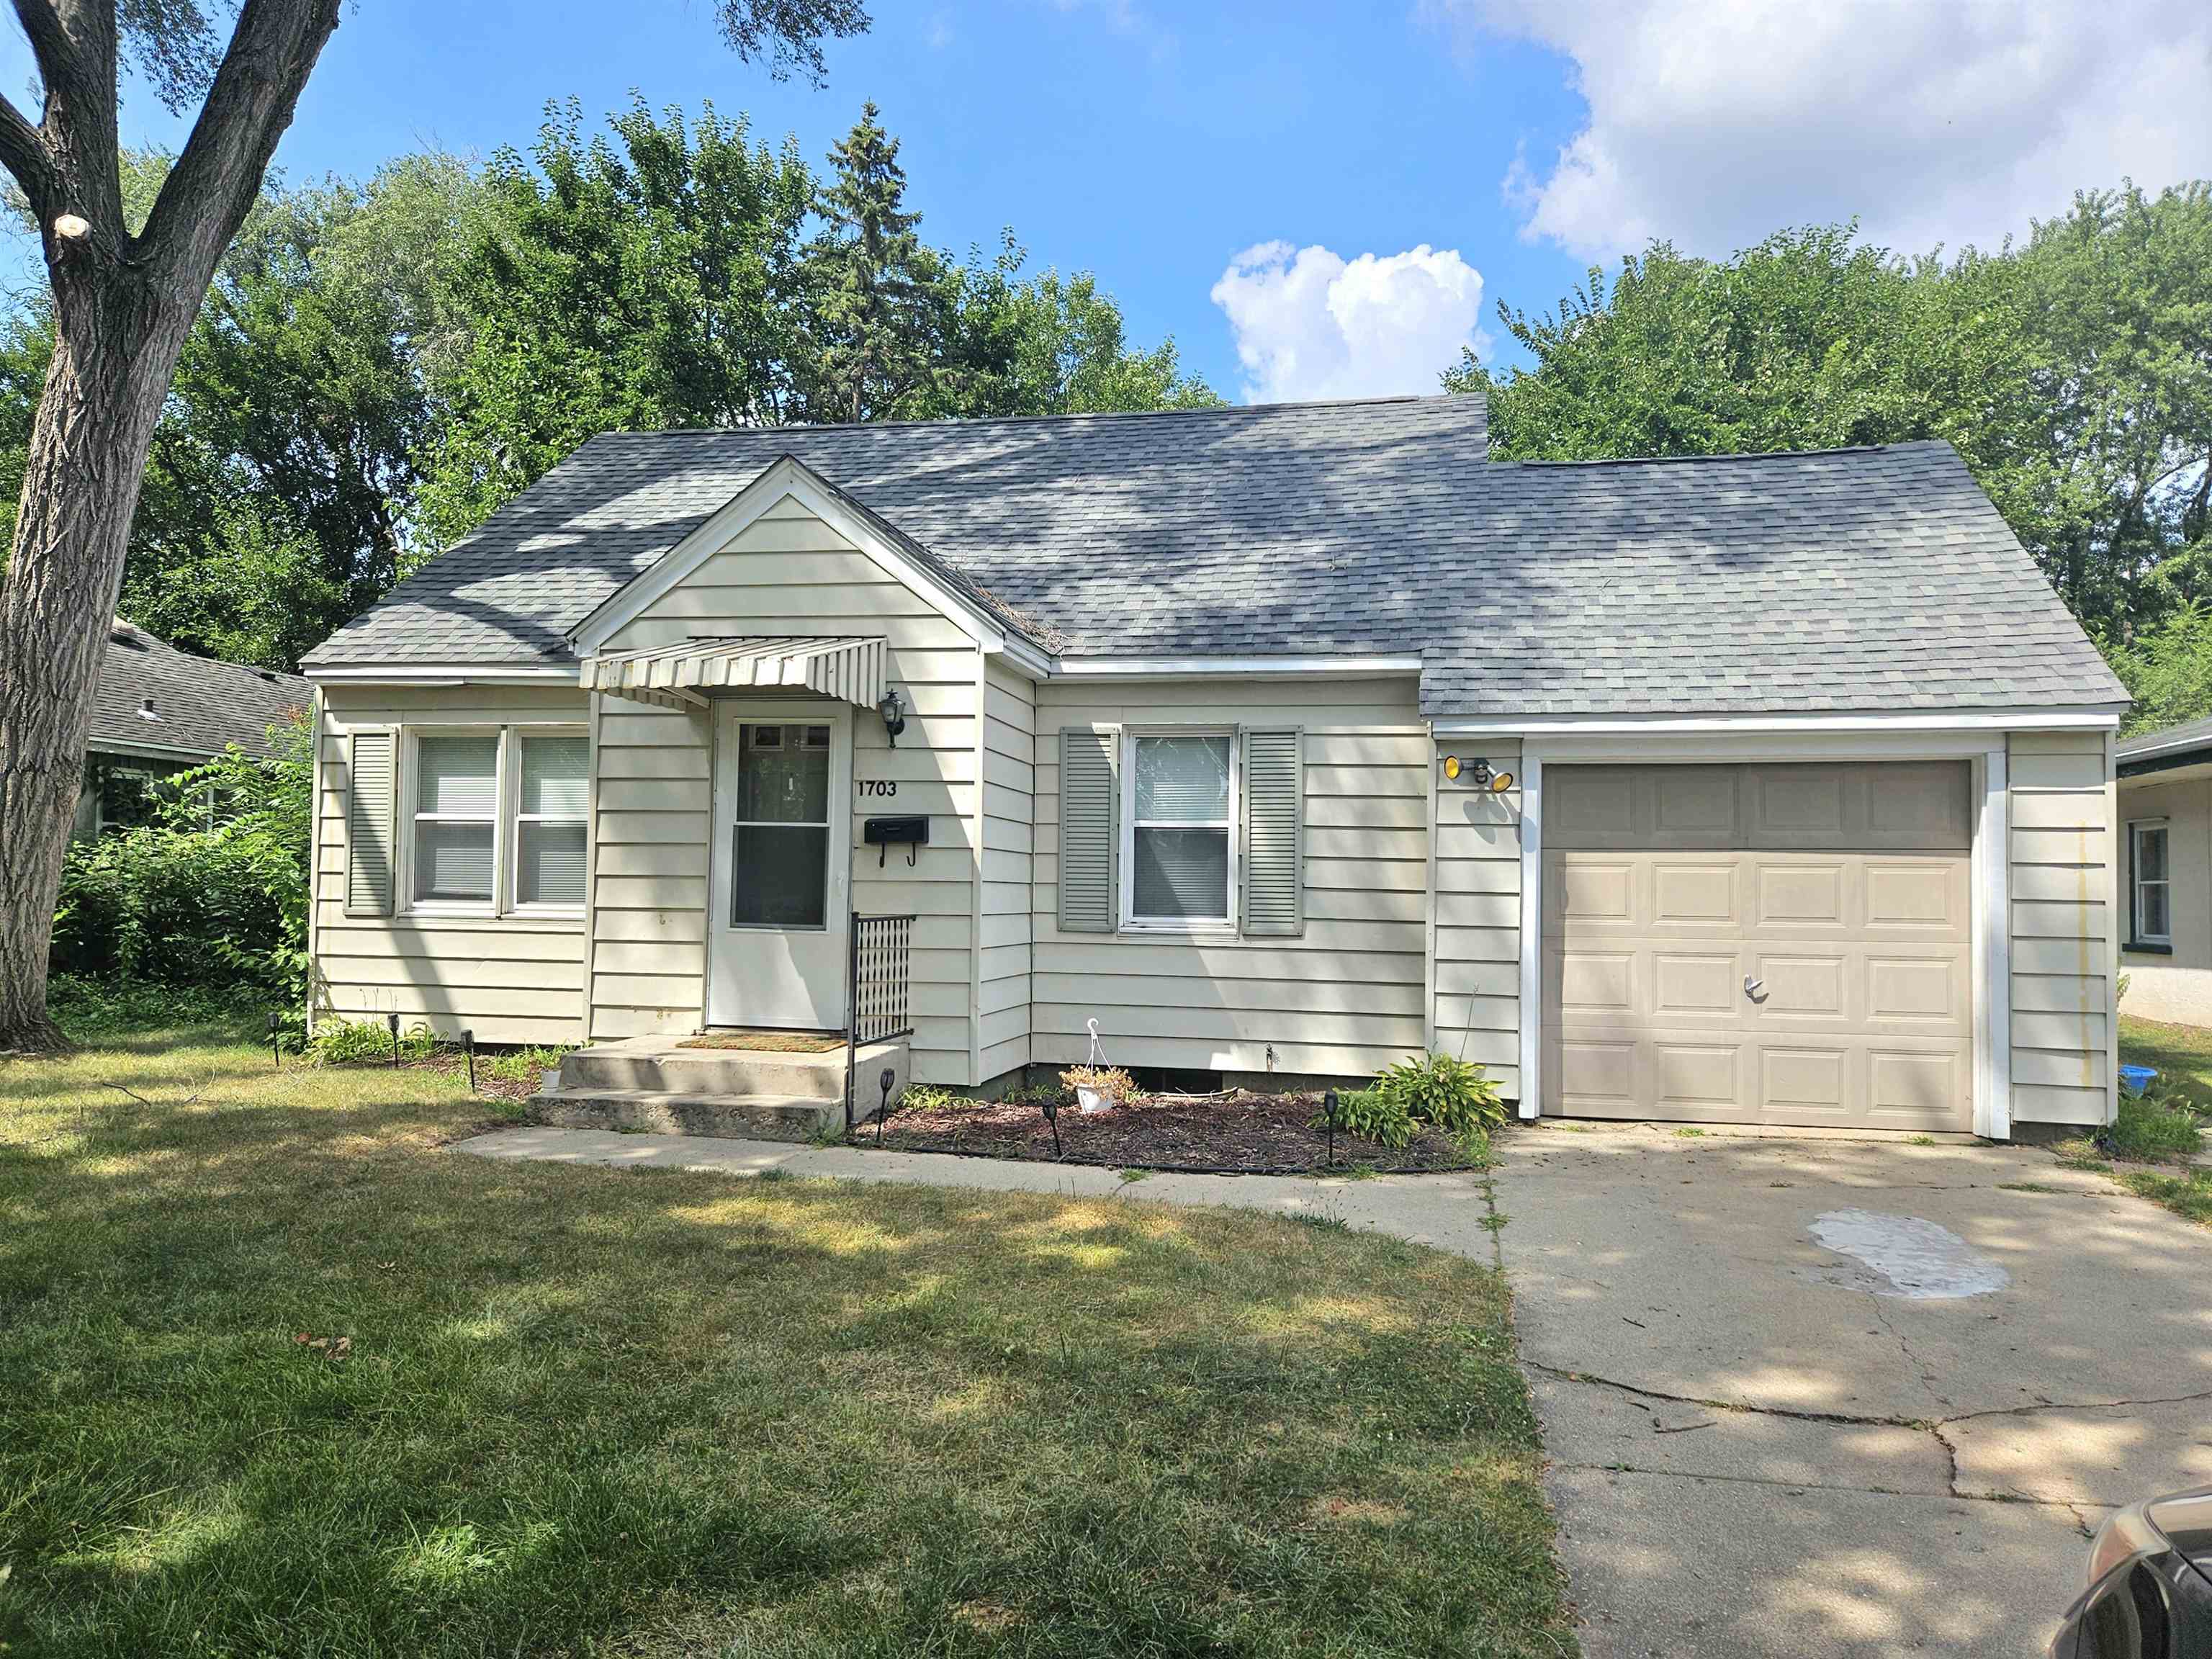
<point>163,711</point>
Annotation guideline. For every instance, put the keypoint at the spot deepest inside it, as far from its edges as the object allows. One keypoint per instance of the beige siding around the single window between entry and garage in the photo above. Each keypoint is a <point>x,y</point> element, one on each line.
<point>1344,999</point>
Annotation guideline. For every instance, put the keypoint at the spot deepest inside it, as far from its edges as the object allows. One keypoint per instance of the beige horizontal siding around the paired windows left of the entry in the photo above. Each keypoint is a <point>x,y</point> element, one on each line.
<point>508,979</point>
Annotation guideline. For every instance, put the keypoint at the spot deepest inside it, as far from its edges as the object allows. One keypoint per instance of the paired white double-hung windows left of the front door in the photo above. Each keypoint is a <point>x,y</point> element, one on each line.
<point>497,820</point>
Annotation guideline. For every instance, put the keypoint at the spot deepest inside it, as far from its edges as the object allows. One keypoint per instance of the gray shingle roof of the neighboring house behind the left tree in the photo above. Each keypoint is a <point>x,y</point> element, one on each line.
<point>198,705</point>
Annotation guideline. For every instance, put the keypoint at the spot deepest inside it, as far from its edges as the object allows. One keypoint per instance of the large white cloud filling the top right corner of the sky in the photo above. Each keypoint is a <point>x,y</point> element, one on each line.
<point>1713,123</point>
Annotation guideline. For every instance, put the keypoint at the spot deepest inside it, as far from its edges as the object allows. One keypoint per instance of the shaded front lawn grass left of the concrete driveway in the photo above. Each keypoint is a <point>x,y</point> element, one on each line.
<point>667,1415</point>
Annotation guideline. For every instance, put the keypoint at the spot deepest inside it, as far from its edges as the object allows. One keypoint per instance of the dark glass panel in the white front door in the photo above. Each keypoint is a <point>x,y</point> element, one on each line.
<point>780,848</point>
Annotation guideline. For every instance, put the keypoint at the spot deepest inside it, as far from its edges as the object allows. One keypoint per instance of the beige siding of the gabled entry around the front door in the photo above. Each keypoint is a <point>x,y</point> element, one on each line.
<point>791,574</point>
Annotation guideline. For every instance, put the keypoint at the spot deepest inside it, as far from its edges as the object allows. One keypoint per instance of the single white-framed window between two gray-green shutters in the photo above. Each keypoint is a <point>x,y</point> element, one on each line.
<point>1182,846</point>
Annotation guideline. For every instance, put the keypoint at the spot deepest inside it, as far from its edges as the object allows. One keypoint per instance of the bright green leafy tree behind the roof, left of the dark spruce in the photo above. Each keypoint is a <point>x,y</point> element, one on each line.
<point>636,280</point>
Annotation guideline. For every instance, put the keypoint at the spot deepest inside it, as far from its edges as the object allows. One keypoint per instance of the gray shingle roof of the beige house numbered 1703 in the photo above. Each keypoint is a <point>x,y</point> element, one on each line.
<point>1844,581</point>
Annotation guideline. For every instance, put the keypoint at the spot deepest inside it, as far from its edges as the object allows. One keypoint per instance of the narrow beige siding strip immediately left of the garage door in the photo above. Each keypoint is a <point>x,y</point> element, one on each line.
<point>1477,948</point>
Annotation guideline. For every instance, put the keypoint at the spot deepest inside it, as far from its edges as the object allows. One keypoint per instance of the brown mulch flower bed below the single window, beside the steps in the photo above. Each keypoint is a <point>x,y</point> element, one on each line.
<point>1238,1131</point>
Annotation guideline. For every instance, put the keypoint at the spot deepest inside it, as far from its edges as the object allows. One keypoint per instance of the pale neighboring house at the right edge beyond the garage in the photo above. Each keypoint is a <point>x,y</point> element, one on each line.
<point>2167,873</point>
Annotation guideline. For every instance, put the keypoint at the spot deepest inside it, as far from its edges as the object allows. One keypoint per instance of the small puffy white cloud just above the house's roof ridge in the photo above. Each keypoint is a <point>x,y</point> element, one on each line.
<point>1313,326</point>
